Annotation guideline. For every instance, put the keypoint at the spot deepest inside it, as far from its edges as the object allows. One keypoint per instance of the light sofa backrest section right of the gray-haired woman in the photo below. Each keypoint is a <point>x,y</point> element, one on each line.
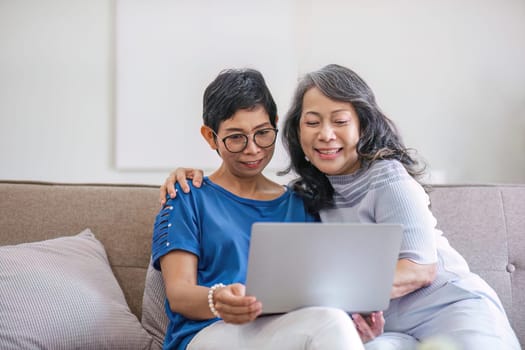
<point>486,224</point>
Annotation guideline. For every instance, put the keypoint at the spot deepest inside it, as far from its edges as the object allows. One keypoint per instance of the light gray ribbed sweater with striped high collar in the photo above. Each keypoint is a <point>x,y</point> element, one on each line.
<point>386,193</point>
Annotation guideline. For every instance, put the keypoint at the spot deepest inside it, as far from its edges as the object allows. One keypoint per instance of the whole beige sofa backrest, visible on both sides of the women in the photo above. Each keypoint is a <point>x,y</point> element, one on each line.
<point>486,224</point>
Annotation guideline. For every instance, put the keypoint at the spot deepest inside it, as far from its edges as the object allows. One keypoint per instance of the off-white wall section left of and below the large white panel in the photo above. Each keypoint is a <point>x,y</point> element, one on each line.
<point>57,92</point>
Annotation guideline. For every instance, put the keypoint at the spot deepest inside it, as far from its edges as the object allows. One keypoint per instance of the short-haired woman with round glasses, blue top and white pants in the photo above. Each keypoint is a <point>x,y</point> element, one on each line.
<point>200,239</point>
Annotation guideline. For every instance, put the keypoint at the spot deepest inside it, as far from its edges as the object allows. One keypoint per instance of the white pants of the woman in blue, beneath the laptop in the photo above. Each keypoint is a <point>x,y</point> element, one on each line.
<point>309,328</point>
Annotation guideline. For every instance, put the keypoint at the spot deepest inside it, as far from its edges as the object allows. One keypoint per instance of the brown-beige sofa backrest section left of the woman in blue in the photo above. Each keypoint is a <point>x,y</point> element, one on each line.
<point>120,216</point>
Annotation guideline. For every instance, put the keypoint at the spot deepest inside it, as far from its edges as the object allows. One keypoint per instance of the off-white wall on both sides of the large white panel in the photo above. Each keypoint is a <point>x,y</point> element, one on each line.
<point>57,85</point>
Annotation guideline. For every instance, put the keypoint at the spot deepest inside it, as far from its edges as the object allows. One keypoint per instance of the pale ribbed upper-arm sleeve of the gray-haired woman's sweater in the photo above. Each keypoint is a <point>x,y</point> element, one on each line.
<point>405,202</point>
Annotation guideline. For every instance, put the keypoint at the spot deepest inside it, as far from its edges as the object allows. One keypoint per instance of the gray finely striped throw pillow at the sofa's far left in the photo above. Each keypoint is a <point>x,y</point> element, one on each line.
<point>62,294</point>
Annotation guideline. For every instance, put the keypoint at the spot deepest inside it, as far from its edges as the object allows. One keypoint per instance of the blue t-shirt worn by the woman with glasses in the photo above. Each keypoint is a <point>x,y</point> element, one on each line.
<point>215,225</point>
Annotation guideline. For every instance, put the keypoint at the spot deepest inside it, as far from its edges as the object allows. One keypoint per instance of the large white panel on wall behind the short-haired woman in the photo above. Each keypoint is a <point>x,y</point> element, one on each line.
<point>169,51</point>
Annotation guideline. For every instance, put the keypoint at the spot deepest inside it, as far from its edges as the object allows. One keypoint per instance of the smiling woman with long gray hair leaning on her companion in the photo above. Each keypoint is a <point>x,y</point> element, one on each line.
<point>354,167</point>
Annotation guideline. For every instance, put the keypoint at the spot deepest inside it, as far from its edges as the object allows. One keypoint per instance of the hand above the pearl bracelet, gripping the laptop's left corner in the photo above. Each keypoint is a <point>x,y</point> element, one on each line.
<point>234,306</point>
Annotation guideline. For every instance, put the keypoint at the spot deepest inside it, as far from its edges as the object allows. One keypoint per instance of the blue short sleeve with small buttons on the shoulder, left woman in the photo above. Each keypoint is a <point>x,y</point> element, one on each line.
<point>175,228</point>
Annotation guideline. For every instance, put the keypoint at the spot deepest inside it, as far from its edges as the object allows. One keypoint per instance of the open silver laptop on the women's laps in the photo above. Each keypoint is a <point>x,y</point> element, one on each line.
<point>342,265</point>
